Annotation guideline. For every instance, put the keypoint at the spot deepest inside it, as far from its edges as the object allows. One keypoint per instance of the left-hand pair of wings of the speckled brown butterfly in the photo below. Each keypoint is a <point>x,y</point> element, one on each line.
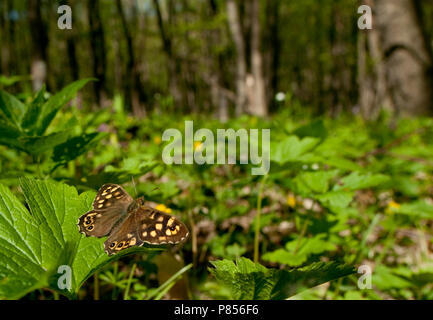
<point>109,208</point>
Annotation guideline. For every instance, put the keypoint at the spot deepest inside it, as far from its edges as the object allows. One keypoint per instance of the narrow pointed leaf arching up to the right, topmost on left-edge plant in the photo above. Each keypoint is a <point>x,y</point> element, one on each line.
<point>56,102</point>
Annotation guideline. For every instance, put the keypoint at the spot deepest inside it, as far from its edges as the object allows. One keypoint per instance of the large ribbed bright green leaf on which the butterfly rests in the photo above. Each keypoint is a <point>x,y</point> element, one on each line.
<point>34,243</point>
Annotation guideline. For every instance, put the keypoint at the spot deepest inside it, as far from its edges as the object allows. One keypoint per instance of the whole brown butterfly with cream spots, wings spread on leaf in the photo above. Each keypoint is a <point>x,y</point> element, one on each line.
<point>128,222</point>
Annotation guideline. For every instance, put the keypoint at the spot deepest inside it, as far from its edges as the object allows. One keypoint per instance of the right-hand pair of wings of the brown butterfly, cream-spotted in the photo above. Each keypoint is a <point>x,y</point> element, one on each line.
<point>146,225</point>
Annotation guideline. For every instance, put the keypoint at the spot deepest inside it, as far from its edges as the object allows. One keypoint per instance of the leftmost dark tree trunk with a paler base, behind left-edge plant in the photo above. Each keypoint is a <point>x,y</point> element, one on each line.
<point>39,34</point>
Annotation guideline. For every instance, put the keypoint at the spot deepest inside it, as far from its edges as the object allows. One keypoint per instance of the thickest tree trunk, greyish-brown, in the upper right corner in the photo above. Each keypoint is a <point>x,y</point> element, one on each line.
<point>407,56</point>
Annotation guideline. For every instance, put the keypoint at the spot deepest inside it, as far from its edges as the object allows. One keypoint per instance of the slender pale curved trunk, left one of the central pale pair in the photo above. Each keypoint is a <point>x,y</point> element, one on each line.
<point>241,66</point>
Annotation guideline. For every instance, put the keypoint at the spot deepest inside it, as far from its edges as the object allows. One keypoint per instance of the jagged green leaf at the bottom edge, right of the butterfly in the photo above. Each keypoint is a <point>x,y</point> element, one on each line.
<point>249,280</point>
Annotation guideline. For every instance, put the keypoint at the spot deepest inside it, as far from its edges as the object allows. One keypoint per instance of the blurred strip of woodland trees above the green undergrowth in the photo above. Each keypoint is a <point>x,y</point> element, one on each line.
<point>227,58</point>
